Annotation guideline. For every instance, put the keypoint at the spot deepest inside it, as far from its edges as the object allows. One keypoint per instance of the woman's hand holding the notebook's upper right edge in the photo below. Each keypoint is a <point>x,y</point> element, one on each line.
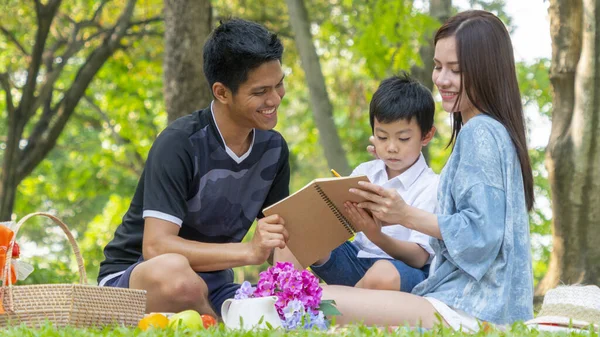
<point>385,204</point>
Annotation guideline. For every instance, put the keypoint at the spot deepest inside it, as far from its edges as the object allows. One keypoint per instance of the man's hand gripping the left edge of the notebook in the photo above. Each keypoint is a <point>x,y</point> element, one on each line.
<point>270,233</point>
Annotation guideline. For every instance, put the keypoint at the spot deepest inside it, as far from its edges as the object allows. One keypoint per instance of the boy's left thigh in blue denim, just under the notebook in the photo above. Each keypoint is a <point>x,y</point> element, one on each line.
<point>343,266</point>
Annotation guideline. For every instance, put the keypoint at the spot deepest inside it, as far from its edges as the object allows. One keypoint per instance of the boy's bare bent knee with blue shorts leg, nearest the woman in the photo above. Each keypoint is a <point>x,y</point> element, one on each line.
<point>387,274</point>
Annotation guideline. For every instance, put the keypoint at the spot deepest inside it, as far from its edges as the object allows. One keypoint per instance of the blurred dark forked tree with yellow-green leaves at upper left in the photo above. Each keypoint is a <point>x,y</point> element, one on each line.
<point>44,86</point>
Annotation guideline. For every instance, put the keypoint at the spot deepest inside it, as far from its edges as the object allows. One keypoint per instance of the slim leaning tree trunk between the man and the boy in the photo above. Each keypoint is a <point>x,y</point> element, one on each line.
<point>321,105</point>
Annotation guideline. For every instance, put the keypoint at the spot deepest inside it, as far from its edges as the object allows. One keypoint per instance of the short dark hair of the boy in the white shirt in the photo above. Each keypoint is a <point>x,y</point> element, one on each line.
<point>402,98</point>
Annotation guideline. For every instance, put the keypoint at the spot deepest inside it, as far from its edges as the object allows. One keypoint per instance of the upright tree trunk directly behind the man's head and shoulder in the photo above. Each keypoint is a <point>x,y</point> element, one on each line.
<point>187,25</point>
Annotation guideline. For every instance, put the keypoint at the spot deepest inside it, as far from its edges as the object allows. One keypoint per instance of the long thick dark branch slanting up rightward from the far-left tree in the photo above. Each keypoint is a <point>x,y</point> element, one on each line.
<point>63,110</point>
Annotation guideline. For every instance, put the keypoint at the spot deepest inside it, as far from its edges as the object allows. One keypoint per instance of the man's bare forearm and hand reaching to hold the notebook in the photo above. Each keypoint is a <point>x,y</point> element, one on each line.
<point>161,237</point>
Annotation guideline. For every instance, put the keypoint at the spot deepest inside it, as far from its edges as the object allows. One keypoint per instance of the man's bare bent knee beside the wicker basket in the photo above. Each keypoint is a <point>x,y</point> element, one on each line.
<point>171,285</point>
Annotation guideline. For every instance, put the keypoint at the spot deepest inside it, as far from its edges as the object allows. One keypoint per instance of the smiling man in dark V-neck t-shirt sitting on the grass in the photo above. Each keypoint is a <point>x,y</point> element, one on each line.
<point>207,177</point>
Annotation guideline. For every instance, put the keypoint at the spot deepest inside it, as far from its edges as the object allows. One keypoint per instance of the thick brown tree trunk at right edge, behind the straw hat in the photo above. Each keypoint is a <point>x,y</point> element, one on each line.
<point>573,157</point>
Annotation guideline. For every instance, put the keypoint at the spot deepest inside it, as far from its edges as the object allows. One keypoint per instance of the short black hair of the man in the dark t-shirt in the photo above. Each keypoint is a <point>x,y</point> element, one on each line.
<point>235,48</point>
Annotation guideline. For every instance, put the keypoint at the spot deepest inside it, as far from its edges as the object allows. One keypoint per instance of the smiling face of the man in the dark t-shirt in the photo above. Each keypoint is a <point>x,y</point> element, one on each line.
<point>255,103</point>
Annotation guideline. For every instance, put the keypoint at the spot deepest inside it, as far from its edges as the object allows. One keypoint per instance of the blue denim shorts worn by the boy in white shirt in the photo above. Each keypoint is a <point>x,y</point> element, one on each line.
<point>344,267</point>
